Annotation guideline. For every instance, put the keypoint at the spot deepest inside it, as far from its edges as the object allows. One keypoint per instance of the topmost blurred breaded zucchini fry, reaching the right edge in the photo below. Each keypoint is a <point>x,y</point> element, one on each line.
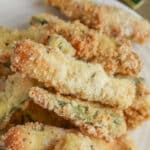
<point>111,20</point>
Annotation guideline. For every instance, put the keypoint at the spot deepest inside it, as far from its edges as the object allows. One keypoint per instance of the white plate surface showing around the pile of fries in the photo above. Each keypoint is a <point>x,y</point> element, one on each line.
<point>16,13</point>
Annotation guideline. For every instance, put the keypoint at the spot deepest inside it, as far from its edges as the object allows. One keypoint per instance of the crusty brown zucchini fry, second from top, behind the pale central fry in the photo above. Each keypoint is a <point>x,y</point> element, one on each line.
<point>115,56</point>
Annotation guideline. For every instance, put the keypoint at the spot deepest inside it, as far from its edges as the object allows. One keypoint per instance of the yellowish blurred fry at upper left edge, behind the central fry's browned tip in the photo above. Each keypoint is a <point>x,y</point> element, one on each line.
<point>9,36</point>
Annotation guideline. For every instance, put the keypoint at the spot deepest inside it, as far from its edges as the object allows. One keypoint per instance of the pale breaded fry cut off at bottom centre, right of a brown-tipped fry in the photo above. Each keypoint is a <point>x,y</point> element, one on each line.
<point>76,141</point>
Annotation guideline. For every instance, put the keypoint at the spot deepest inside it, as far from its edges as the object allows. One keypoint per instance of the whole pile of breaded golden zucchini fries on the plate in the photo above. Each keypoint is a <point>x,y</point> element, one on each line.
<point>73,85</point>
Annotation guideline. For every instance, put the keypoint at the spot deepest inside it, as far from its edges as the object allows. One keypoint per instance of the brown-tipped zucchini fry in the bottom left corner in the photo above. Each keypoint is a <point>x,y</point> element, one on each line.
<point>32,136</point>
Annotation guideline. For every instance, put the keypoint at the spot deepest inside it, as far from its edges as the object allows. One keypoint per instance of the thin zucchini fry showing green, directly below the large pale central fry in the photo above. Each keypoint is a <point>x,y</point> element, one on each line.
<point>95,120</point>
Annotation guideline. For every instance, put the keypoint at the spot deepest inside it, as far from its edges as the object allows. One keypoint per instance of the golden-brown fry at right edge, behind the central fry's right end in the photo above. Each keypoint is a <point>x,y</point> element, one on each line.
<point>139,111</point>
